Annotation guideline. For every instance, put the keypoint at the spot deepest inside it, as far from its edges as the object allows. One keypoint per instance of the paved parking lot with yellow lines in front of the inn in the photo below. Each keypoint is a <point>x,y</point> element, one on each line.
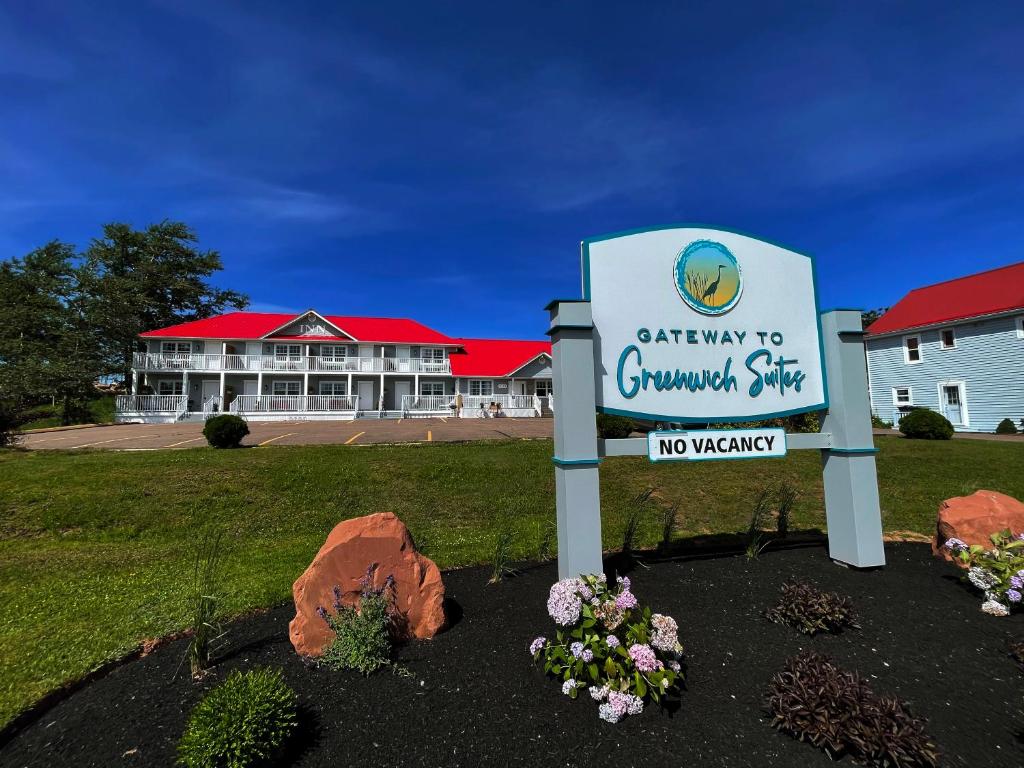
<point>360,433</point>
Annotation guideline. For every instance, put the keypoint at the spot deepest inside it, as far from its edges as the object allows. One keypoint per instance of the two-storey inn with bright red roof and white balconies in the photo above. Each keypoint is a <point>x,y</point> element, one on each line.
<point>270,367</point>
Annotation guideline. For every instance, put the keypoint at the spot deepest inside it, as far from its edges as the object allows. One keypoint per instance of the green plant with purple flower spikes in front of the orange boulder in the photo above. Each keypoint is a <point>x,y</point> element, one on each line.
<point>363,636</point>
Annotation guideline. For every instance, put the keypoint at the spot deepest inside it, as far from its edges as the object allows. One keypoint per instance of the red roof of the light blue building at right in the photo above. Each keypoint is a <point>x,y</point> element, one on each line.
<point>991,292</point>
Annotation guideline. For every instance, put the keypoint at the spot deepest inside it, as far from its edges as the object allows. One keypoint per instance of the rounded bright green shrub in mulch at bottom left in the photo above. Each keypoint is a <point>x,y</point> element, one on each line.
<point>243,722</point>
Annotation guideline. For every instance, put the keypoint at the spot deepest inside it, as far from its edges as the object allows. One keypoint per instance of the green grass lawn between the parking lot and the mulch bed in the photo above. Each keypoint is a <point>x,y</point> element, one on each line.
<point>96,547</point>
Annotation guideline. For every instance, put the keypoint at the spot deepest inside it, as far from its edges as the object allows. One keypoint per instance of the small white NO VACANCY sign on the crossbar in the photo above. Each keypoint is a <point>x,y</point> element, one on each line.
<point>708,445</point>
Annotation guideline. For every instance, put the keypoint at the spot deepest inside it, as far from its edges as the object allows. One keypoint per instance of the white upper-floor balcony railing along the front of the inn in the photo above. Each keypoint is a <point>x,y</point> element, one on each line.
<point>202,362</point>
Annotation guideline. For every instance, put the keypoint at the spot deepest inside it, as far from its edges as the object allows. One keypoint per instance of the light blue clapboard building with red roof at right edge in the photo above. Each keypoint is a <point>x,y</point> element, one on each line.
<point>956,348</point>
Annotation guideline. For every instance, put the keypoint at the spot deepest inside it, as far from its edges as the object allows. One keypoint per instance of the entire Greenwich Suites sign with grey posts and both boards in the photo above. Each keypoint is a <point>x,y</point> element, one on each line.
<point>695,328</point>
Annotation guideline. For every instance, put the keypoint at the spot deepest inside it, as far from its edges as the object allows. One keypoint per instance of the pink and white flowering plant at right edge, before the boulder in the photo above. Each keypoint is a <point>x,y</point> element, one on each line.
<point>998,572</point>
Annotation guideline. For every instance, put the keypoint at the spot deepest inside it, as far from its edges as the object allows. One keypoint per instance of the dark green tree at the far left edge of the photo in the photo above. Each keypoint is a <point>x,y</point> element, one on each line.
<point>48,348</point>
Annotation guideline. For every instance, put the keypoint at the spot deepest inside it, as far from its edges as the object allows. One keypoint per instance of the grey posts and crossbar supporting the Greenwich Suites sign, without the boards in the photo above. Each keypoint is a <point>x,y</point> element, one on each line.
<point>851,493</point>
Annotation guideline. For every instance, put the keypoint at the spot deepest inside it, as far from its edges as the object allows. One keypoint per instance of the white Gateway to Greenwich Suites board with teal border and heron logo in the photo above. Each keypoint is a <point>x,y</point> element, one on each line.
<point>702,326</point>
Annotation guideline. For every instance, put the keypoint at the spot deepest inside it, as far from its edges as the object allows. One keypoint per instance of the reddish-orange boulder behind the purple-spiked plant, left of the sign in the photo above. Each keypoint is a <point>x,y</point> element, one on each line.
<point>379,542</point>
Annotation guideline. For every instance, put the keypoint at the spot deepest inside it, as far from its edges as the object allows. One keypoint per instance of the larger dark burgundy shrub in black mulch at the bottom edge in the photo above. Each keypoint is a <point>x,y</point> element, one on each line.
<point>816,702</point>
